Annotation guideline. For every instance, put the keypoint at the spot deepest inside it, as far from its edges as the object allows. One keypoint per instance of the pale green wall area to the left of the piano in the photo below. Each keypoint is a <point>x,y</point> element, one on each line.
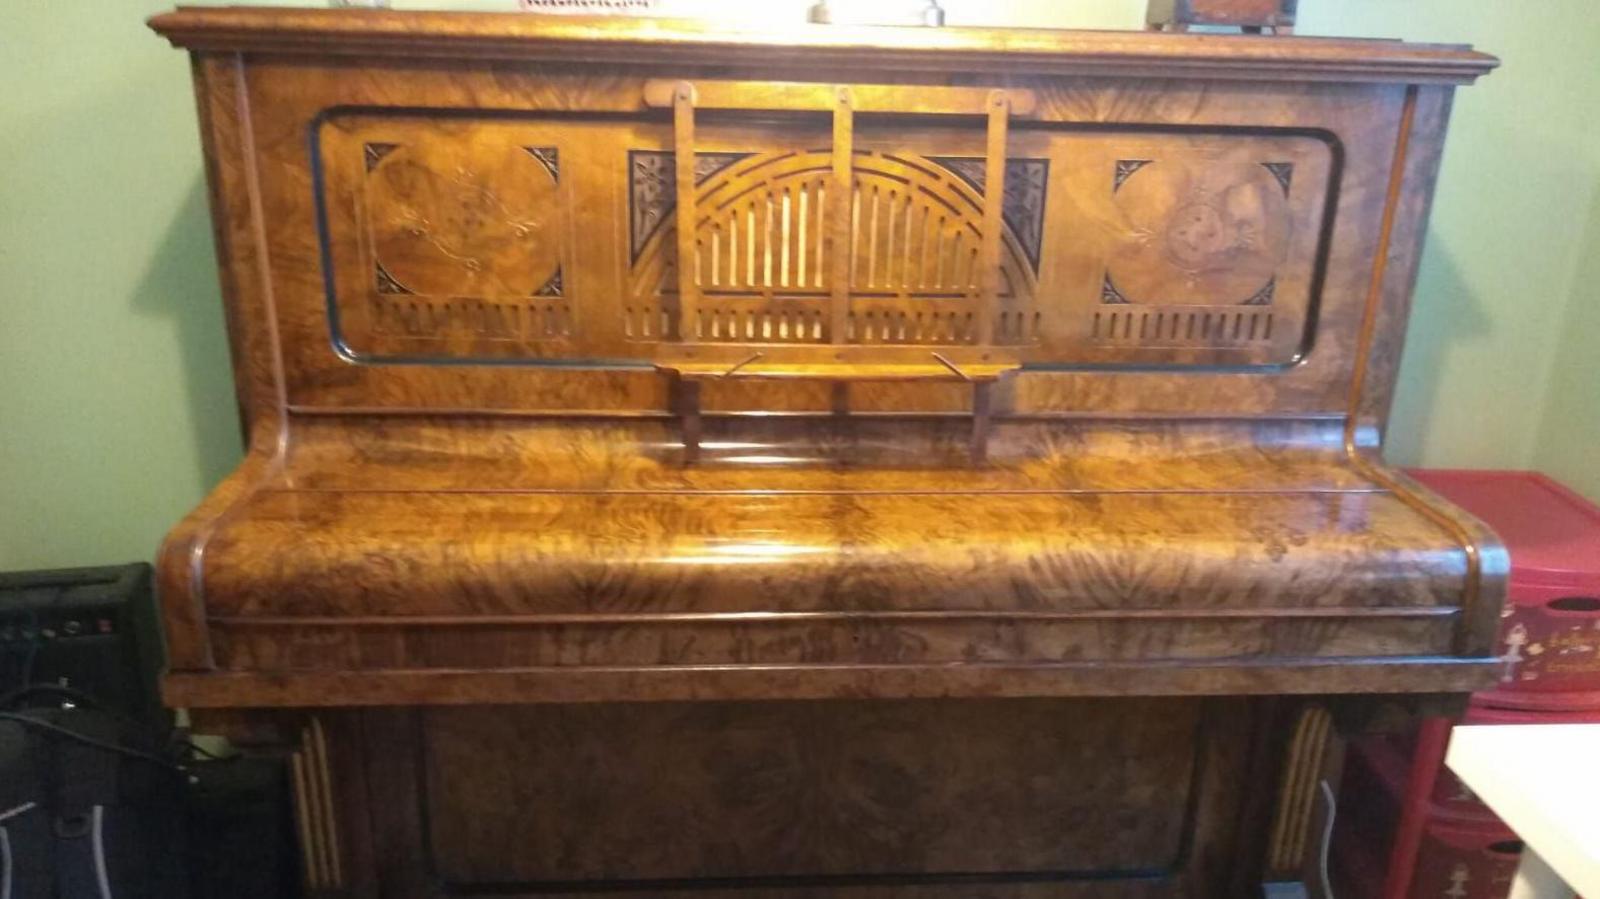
<point>116,409</point>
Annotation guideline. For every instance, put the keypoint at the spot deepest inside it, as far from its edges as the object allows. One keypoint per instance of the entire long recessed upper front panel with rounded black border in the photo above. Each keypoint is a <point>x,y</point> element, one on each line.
<point>503,239</point>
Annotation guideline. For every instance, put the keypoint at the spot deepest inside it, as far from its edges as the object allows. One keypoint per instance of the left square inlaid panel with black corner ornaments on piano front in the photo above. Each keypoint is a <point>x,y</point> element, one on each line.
<point>447,239</point>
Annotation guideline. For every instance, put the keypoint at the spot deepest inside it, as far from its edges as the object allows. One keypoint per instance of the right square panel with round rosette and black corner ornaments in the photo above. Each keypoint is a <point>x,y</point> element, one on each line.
<point>1210,244</point>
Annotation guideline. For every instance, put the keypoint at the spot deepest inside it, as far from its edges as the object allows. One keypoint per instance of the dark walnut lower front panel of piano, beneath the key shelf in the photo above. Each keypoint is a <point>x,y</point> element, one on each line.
<point>713,788</point>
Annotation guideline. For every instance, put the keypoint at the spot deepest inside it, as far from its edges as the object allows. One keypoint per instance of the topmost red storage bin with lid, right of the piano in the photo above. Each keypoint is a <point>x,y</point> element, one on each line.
<point>1551,628</point>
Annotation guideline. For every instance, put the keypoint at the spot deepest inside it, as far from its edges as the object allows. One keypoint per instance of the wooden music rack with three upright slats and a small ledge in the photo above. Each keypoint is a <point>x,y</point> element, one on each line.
<point>836,358</point>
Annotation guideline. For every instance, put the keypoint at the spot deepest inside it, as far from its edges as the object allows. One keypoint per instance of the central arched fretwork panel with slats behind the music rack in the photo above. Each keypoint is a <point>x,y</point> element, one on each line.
<point>766,266</point>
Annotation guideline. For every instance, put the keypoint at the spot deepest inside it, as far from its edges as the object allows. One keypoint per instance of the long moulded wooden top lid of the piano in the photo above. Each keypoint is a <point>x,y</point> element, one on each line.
<point>634,41</point>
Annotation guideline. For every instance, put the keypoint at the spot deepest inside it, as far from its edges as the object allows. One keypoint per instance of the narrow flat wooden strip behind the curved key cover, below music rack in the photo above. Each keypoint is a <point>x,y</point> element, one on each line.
<point>812,453</point>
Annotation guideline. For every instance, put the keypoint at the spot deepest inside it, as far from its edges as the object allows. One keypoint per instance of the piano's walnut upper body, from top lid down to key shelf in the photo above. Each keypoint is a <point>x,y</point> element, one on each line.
<point>1166,479</point>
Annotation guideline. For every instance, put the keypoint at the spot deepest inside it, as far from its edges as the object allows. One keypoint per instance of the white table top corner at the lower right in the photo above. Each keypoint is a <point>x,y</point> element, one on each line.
<point>1545,783</point>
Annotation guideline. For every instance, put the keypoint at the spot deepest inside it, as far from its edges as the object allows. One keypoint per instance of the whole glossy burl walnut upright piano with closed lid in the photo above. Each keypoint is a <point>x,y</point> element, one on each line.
<point>815,463</point>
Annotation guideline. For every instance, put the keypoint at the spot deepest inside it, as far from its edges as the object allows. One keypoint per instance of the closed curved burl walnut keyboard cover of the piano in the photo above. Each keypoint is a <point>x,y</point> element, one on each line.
<point>780,551</point>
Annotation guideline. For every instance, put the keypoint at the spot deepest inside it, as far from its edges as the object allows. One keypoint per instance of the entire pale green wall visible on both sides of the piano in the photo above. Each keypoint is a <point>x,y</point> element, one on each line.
<point>116,402</point>
